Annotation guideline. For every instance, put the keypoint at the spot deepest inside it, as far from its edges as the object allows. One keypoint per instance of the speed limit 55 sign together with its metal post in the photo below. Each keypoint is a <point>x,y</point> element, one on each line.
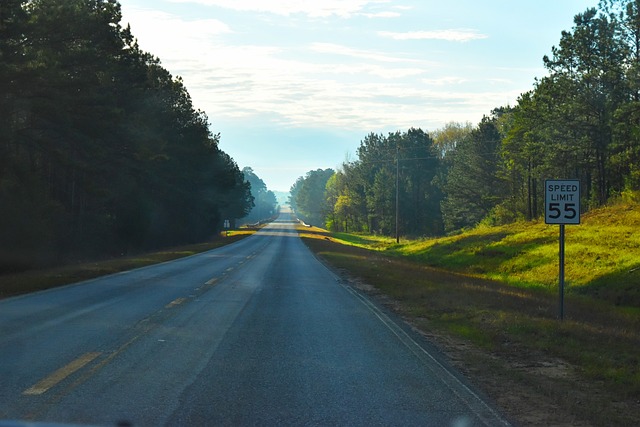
<point>562,206</point>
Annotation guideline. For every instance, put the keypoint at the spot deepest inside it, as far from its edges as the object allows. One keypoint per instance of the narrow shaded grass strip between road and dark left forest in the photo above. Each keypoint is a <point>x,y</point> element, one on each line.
<point>35,280</point>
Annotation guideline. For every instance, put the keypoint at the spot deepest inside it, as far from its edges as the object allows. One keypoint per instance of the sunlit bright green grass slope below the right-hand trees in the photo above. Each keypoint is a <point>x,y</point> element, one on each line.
<point>602,254</point>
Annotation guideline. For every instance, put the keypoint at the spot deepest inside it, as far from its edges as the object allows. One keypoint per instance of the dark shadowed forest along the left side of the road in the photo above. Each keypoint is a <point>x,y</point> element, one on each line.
<point>101,149</point>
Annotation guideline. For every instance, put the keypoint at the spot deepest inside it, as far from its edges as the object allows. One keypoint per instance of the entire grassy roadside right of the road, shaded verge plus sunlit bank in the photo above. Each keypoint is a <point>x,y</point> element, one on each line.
<point>490,297</point>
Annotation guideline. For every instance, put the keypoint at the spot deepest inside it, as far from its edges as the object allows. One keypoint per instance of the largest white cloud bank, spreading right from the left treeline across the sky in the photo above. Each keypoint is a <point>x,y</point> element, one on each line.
<point>337,87</point>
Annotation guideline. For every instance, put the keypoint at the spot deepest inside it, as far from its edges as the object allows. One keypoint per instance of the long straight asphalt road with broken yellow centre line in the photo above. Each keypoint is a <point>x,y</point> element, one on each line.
<point>255,333</point>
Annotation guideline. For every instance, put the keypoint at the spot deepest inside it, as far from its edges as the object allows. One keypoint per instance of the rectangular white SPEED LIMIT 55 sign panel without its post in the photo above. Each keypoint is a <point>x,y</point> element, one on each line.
<point>562,201</point>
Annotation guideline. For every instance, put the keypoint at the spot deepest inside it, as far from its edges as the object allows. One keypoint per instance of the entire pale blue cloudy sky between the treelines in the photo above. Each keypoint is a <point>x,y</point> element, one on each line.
<point>295,85</point>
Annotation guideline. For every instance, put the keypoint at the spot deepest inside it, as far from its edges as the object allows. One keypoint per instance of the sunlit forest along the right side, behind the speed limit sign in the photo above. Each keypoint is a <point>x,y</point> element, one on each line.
<point>581,121</point>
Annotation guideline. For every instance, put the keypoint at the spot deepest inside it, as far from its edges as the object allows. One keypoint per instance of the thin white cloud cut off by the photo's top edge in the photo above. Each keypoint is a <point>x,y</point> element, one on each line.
<point>313,8</point>
